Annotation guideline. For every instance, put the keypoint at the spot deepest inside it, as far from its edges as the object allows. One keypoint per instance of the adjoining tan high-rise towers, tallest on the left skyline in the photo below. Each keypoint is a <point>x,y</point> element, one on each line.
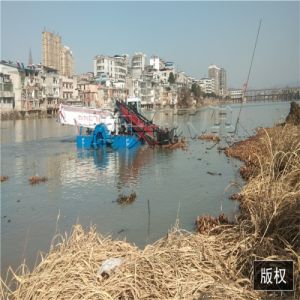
<point>55,55</point>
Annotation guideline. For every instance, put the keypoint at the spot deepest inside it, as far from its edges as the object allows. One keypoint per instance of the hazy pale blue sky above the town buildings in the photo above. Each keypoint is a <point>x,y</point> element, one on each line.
<point>191,34</point>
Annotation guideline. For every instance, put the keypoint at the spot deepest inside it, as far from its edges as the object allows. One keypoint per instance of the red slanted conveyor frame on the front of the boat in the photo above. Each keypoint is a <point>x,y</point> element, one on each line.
<point>144,128</point>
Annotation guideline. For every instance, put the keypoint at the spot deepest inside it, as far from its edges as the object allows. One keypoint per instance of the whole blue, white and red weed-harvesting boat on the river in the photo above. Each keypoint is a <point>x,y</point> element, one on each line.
<point>125,127</point>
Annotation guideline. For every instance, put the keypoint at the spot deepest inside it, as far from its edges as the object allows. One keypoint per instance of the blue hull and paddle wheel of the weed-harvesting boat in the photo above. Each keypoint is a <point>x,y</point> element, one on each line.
<point>101,136</point>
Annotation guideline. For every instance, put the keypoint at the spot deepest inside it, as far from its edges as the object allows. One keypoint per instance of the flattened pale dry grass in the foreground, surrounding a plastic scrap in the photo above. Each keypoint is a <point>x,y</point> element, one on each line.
<point>180,266</point>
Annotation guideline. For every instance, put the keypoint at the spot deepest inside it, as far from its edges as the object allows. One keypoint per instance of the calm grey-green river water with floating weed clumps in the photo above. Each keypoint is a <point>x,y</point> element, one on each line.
<point>82,186</point>
